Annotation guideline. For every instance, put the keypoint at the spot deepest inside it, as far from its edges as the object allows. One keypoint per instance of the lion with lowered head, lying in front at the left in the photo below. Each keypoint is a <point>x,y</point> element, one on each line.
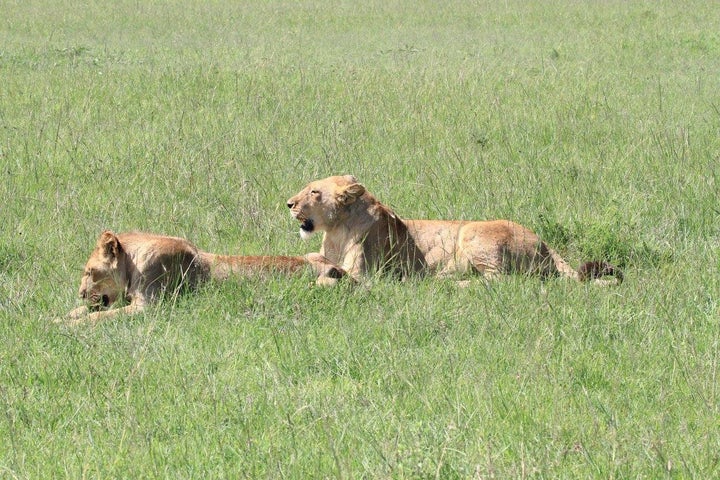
<point>139,267</point>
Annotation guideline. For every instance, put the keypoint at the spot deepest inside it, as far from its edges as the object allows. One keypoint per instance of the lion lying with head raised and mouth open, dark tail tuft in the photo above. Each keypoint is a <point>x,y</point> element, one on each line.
<point>361,234</point>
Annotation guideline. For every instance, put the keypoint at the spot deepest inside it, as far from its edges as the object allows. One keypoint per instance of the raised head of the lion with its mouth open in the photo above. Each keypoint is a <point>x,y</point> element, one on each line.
<point>321,204</point>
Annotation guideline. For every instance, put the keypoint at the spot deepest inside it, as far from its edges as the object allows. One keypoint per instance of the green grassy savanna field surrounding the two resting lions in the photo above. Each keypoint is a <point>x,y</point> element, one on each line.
<point>596,124</point>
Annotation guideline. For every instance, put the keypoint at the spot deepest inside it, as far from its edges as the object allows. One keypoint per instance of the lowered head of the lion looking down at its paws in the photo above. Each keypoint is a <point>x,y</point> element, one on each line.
<point>104,276</point>
